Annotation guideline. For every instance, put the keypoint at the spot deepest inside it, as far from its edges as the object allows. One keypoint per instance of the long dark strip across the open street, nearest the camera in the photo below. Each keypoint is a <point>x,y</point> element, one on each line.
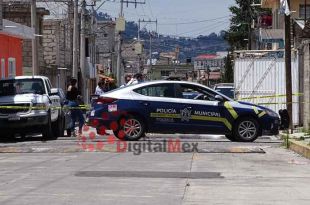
<point>150,174</point>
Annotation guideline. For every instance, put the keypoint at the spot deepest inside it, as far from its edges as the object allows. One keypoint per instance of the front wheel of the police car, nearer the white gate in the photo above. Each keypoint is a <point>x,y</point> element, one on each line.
<point>246,130</point>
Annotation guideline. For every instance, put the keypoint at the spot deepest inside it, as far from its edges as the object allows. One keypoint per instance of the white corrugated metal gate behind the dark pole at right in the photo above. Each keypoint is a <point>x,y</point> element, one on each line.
<point>261,80</point>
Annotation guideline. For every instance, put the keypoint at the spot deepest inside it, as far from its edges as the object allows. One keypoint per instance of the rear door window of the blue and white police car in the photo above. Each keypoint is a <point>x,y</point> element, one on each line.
<point>161,90</point>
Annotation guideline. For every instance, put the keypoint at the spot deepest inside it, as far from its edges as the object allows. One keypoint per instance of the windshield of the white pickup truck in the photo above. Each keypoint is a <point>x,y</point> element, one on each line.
<point>21,86</point>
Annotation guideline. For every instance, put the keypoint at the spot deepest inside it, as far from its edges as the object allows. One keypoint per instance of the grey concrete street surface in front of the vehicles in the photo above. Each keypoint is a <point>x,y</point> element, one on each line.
<point>91,170</point>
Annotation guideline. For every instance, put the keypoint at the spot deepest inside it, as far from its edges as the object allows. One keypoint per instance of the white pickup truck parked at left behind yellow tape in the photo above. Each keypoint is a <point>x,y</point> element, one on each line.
<point>30,105</point>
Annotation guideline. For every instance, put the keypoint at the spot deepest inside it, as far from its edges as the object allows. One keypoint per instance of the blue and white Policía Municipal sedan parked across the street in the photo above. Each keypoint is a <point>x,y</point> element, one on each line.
<point>179,107</point>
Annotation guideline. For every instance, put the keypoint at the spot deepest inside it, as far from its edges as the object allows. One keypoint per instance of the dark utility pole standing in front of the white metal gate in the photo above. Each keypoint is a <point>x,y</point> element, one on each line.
<point>288,68</point>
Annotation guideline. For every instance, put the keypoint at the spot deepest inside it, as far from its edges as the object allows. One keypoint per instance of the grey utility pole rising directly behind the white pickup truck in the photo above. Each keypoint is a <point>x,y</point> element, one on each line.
<point>34,40</point>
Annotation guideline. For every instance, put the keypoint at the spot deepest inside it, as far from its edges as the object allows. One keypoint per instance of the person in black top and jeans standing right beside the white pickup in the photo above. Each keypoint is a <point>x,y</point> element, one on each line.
<point>76,113</point>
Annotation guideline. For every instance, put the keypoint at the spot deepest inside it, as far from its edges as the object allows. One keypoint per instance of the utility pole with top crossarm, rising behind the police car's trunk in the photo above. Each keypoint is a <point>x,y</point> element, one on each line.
<point>119,44</point>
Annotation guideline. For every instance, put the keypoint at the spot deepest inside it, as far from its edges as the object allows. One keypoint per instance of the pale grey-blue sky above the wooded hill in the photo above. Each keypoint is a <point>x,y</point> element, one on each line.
<point>188,18</point>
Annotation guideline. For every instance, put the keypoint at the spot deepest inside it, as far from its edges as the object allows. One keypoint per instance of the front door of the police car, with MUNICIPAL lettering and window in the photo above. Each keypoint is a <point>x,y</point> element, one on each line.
<point>201,112</point>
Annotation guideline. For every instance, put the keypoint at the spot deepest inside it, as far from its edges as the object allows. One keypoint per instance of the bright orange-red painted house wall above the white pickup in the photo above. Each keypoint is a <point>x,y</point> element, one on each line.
<point>11,47</point>
